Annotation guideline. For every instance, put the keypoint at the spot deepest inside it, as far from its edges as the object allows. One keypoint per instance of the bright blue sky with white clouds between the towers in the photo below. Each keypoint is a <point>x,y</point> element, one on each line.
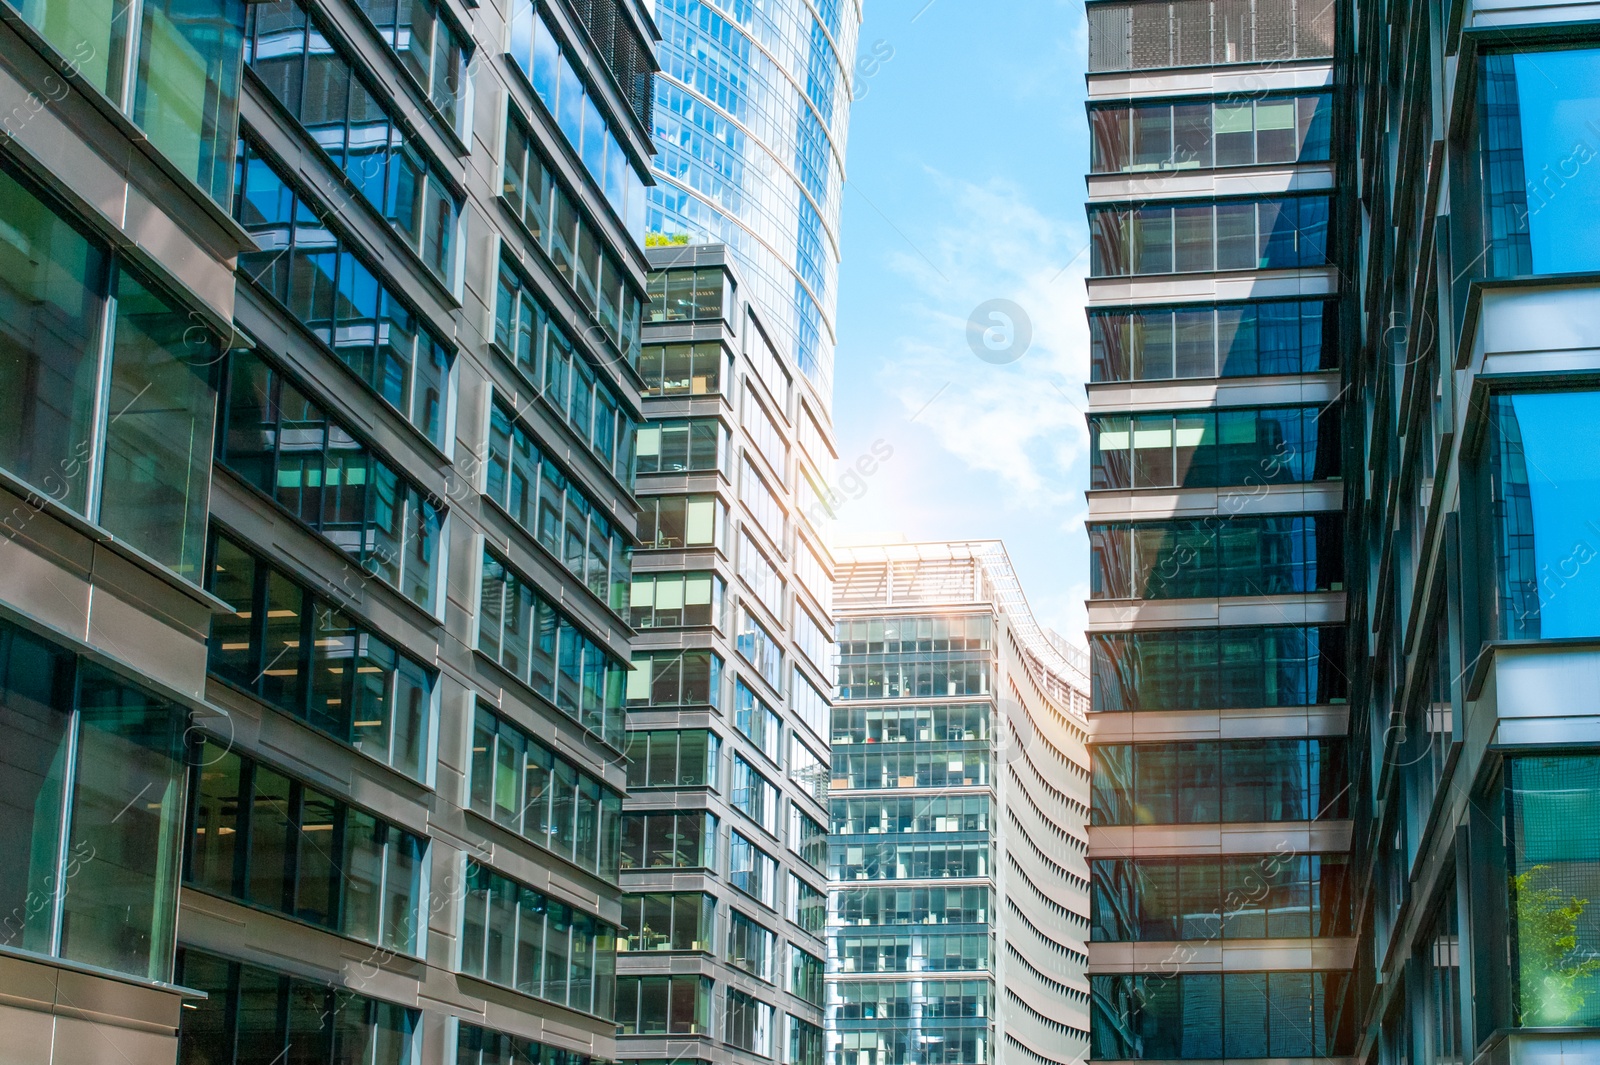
<point>966,186</point>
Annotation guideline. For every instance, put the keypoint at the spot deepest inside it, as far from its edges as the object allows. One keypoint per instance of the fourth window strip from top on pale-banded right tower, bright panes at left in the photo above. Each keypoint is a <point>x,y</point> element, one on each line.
<point>1215,449</point>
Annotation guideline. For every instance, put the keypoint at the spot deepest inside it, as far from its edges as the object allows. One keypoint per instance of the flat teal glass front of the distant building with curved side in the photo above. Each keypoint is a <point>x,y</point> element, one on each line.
<point>881,837</point>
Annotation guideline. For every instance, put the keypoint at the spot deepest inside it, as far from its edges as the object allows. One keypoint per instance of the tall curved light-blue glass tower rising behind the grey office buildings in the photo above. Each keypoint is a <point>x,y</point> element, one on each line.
<point>750,126</point>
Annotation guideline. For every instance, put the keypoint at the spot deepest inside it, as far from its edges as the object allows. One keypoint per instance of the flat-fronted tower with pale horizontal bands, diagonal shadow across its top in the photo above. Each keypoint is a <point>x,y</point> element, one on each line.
<point>1222,813</point>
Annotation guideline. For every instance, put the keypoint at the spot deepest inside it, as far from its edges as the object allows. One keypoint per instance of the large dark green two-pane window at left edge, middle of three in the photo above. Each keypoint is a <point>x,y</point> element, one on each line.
<point>148,453</point>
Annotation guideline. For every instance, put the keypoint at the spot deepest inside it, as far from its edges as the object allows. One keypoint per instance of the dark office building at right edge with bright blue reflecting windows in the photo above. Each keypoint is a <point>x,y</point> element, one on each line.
<point>1473,580</point>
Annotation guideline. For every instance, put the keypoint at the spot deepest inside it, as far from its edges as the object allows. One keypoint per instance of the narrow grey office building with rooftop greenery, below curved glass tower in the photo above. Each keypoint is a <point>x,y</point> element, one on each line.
<point>726,823</point>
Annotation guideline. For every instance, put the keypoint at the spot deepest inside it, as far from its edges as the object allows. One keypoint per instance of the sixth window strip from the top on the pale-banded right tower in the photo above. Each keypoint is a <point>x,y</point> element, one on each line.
<point>1218,669</point>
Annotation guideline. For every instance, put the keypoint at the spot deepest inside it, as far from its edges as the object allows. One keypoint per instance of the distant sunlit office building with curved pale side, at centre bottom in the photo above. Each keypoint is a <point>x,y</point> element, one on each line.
<point>958,915</point>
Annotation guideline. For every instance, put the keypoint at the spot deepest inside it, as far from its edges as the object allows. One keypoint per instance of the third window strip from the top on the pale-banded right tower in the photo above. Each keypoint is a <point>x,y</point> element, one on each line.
<point>1214,341</point>
